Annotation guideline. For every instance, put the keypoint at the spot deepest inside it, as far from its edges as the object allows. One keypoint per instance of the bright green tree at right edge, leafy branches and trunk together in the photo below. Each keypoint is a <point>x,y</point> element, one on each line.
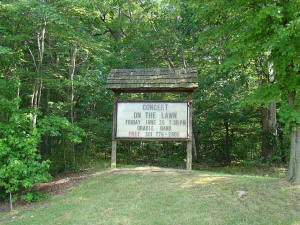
<point>252,29</point>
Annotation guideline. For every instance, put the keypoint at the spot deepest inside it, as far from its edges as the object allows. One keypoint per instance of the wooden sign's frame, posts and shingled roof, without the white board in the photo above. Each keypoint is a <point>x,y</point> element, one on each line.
<point>147,80</point>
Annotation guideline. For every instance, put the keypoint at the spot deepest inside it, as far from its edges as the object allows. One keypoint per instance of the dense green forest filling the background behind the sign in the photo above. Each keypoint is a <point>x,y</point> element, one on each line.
<point>56,114</point>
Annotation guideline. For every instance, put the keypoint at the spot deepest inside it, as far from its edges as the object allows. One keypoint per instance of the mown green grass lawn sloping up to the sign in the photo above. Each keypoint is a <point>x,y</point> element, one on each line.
<point>142,197</point>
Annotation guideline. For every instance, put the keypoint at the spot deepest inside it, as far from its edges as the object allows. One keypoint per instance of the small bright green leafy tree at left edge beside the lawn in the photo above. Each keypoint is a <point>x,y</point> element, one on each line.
<point>20,165</point>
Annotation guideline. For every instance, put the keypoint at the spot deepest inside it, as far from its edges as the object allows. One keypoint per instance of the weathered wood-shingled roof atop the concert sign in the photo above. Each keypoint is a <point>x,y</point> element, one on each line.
<point>157,79</point>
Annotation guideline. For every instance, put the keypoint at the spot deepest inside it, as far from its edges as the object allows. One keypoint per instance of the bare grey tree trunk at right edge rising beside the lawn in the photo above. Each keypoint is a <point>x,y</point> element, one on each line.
<point>294,166</point>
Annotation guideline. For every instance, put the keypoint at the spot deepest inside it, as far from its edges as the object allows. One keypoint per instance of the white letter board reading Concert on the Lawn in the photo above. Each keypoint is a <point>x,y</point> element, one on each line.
<point>152,120</point>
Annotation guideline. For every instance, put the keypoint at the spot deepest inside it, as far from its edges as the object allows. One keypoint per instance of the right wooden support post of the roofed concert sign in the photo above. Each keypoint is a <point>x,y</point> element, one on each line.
<point>190,141</point>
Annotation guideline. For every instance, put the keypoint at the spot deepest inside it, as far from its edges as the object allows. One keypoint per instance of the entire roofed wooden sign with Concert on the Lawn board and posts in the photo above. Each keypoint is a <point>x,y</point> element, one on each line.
<point>152,120</point>
